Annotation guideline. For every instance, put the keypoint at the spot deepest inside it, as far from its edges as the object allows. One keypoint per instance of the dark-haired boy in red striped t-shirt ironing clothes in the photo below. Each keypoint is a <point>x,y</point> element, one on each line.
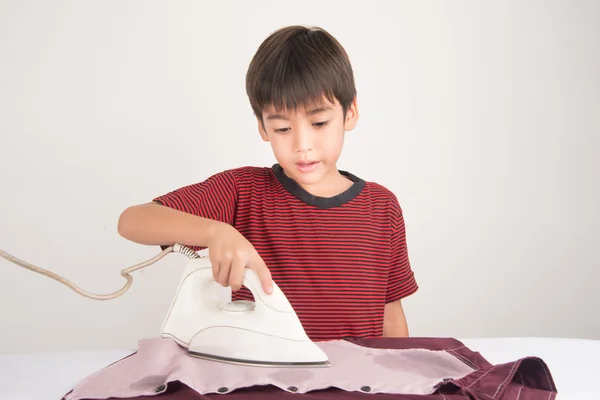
<point>334,243</point>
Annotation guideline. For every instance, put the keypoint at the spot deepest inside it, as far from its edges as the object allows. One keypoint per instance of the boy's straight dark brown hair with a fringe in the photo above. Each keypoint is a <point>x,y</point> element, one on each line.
<point>296,66</point>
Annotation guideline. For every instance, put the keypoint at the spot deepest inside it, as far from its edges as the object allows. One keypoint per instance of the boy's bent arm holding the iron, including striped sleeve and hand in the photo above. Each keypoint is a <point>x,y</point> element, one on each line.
<point>199,215</point>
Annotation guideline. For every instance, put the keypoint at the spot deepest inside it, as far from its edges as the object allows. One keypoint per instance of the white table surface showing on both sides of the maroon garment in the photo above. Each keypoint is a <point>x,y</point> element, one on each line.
<point>48,376</point>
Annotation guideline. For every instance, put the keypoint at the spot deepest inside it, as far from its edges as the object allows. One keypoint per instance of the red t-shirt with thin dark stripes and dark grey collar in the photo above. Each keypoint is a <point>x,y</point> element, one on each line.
<point>338,260</point>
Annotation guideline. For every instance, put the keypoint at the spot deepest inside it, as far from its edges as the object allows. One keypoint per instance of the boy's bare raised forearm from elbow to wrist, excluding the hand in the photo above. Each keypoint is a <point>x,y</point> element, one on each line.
<point>154,224</point>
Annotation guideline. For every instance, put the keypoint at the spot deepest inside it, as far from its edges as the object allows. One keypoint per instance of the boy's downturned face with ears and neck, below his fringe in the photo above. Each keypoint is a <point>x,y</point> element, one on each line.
<point>307,143</point>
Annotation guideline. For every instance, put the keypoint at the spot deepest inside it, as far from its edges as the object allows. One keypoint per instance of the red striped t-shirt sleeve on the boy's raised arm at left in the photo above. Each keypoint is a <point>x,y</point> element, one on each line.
<point>214,198</point>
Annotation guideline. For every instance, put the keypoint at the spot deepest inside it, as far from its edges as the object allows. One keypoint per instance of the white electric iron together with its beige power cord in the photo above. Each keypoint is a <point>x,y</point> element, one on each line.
<point>203,319</point>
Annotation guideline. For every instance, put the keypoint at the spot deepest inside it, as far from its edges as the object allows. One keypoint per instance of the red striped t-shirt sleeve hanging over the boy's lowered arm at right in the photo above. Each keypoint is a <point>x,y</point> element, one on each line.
<point>401,280</point>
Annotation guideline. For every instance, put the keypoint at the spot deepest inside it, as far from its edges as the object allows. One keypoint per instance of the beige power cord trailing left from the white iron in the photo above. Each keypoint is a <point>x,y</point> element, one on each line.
<point>125,273</point>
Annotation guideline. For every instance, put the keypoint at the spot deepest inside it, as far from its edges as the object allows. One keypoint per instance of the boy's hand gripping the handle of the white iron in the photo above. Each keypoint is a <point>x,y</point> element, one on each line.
<point>230,252</point>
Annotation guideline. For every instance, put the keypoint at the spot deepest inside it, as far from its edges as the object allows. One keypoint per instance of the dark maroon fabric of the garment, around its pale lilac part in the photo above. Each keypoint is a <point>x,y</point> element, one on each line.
<point>524,379</point>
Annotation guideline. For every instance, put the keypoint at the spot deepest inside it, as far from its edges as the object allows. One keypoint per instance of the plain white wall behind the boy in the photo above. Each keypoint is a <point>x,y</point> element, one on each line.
<point>483,117</point>
